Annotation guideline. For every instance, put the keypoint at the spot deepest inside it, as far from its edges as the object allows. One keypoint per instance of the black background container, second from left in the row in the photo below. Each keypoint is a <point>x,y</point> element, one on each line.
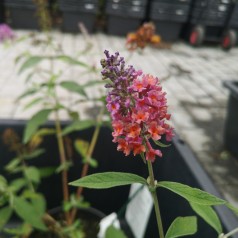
<point>75,12</point>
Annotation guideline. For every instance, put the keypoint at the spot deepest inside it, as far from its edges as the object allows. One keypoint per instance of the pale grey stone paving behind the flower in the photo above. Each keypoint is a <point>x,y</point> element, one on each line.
<point>192,77</point>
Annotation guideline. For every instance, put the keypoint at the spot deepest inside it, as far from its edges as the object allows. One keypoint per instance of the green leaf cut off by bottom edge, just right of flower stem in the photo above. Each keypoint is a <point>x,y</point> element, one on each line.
<point>182,226</point>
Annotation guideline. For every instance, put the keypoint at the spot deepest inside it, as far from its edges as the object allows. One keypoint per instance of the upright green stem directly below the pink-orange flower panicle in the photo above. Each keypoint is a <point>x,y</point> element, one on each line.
<point>155,199</point>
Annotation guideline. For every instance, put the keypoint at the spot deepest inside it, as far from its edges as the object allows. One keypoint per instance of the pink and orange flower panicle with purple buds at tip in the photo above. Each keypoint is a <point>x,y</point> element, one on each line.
<point>138,108</point>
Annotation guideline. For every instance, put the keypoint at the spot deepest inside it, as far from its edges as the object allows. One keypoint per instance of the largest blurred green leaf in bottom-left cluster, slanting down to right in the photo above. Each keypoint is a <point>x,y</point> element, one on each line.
<point>28,213</point>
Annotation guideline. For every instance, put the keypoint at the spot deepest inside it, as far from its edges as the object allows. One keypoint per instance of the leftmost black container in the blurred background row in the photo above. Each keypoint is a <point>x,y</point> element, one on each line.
<point>22,14</point>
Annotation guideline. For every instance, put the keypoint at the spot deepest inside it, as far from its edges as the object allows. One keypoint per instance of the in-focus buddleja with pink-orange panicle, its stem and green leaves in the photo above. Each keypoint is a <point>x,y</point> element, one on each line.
<point>138,109</point>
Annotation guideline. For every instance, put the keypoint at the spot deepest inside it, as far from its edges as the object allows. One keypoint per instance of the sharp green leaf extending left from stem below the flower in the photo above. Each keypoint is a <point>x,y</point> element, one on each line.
<point>108,180</point>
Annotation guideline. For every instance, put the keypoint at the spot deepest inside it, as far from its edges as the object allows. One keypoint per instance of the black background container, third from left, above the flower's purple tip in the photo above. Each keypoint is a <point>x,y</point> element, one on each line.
<point>124,16</point>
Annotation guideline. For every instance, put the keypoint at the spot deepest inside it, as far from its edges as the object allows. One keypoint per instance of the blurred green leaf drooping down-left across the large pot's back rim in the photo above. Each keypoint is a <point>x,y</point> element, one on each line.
<point>37,120</point>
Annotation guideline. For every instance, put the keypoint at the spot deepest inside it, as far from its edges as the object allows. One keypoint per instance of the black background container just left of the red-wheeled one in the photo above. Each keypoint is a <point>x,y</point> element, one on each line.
<point>169,17</point>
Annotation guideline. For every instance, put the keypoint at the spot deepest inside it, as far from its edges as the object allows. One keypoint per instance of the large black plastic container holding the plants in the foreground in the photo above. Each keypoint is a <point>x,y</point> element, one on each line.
<point>178,164</point>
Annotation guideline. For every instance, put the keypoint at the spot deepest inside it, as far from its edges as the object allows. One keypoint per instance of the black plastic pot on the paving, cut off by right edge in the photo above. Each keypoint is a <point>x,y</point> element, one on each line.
<point>231,123</point>
